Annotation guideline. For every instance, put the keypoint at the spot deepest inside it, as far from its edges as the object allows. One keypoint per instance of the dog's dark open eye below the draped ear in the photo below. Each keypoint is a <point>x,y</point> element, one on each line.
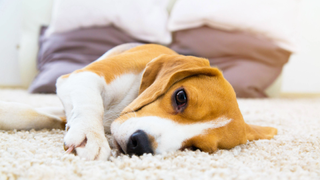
<point>179,100</point>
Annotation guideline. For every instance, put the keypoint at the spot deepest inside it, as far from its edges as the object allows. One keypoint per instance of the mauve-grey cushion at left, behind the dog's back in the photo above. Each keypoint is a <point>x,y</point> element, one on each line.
<point>63,53</point>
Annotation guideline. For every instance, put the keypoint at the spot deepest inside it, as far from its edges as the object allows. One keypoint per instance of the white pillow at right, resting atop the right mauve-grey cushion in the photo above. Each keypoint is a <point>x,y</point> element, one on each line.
<point>273,19</point>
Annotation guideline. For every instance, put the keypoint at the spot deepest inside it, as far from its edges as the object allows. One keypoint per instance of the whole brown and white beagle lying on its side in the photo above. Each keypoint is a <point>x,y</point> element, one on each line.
<point>151,99</point>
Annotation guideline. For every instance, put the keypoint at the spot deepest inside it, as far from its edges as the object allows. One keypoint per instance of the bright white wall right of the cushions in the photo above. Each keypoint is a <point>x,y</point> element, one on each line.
<point>302,73</point>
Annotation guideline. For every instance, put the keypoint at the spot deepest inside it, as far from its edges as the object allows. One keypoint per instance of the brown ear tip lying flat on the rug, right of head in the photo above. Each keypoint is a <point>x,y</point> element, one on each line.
<point>255,132</point>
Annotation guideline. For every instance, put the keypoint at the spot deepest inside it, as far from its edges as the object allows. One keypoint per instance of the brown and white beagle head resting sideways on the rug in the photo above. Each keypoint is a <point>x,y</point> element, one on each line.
<point>183,103</point>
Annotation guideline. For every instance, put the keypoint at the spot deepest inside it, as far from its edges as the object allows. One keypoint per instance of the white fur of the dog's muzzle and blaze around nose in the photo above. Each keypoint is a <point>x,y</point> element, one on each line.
<point>168,134</point>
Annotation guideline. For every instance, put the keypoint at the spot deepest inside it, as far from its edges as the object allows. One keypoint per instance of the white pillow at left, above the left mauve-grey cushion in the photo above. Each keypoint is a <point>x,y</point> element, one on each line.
<point>143,19</point>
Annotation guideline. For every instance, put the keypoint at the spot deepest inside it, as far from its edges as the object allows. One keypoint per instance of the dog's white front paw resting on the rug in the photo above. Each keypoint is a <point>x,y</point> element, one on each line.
<point>87,143</point>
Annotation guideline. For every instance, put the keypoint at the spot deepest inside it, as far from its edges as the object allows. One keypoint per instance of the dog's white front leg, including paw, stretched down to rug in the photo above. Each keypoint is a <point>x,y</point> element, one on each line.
<point>80,94</point>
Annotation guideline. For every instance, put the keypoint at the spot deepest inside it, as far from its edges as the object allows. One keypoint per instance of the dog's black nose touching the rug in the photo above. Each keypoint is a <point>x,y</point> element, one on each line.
<point>139,144</point>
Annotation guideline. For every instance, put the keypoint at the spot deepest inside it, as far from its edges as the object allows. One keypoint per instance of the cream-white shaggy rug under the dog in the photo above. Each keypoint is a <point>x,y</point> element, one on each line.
<point>293,154</point>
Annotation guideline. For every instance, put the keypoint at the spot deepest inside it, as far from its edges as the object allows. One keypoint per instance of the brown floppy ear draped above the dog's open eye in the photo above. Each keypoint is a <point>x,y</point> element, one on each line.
<point>162,72</point>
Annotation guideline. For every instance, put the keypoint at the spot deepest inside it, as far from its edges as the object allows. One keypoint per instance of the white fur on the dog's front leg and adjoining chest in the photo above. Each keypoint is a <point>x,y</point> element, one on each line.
<point>91,104</point>
